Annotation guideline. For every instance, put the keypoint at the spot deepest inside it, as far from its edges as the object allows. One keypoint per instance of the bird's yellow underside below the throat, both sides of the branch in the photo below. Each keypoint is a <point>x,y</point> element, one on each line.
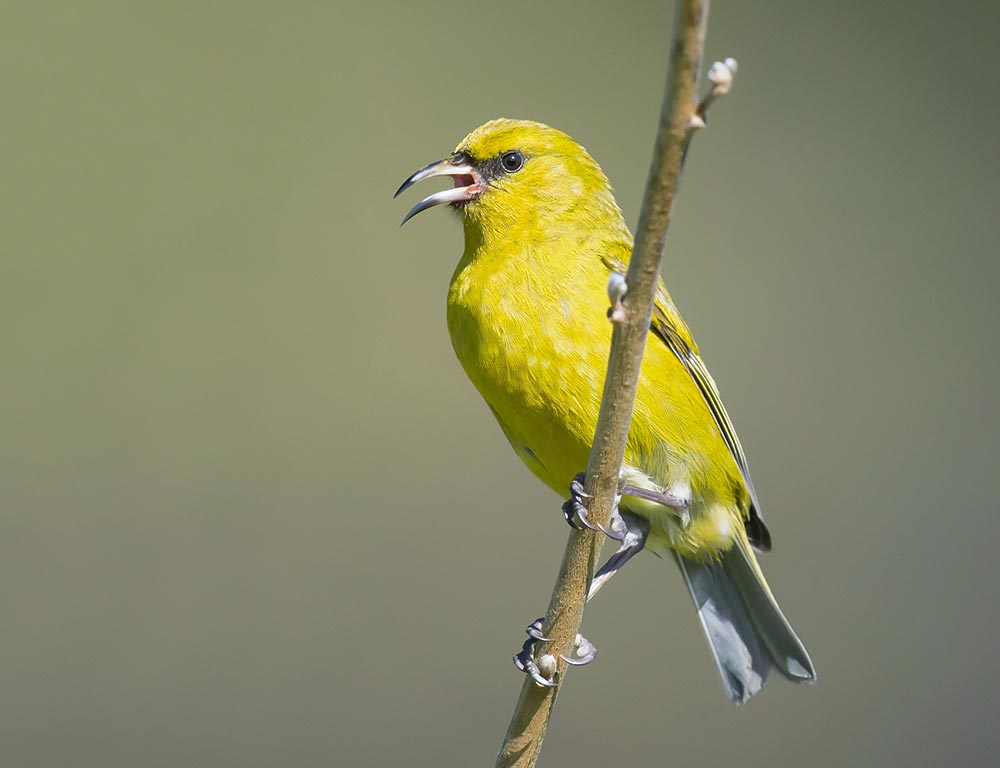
<point>537,352</point>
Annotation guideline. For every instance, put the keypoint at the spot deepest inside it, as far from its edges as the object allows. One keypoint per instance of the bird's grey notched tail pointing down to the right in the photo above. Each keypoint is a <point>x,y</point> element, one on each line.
<point>748,634</point>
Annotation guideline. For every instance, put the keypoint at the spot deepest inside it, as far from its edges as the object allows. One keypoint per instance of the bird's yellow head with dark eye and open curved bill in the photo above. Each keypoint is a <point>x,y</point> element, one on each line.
<point>515,173</point>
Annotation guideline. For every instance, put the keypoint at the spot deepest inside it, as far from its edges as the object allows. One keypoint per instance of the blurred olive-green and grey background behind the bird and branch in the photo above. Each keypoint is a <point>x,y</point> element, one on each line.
<point>252,512</point>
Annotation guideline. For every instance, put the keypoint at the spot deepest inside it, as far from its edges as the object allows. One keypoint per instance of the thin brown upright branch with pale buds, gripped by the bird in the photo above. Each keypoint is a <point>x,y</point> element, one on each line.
<point>680,115</point>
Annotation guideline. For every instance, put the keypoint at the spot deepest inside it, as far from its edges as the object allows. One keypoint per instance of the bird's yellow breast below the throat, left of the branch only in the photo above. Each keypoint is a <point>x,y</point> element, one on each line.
<point>533,339</point>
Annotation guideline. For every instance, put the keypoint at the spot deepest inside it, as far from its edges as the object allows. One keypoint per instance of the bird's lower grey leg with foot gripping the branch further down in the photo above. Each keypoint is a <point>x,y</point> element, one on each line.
<point>543,669</point>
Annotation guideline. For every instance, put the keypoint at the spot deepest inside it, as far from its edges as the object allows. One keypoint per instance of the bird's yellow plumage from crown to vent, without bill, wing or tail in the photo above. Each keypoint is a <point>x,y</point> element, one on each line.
<point>525,312</point>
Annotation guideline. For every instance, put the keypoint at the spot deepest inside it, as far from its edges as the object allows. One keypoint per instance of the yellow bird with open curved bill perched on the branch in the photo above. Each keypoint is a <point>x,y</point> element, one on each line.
<point>526,313</point>
